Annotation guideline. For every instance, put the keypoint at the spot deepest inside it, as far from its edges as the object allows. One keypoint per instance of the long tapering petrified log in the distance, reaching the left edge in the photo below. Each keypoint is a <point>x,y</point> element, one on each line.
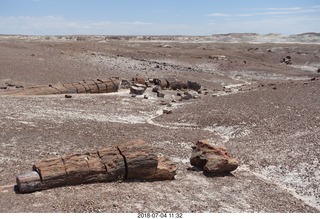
<point>85,86</point>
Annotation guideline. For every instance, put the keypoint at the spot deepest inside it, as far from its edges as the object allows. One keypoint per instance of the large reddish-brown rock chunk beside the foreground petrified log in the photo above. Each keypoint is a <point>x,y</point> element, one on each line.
<point>212,160</point>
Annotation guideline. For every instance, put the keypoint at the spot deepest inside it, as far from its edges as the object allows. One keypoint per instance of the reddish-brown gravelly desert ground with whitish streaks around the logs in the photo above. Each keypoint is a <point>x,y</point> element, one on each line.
<point>259,99</point>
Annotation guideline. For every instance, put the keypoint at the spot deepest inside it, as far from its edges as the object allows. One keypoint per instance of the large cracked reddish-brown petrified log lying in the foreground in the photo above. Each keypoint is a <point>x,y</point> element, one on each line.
<point>129,161</point>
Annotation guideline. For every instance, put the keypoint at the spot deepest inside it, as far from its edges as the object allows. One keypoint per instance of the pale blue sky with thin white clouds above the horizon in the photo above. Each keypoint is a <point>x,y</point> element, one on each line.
<point>158,17</point>
